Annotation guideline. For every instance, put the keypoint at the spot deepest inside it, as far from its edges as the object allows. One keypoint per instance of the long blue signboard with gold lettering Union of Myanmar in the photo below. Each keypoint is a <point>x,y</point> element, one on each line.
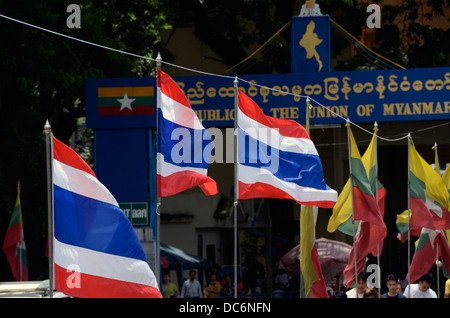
<point>361,96</point>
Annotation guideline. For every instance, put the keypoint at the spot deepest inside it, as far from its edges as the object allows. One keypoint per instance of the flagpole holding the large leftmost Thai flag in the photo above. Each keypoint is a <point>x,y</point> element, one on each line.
<point>49,151</point>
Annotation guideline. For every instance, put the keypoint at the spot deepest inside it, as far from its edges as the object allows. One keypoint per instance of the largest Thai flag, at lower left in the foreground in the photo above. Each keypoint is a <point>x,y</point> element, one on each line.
<point>96,250</point>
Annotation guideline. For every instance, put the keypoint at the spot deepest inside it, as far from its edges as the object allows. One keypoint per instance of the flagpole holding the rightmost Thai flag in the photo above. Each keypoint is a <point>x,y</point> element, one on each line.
<point>236,182</point>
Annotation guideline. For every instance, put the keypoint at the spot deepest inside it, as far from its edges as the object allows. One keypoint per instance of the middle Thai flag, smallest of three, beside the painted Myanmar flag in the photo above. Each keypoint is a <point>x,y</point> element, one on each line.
<point>184,145</point>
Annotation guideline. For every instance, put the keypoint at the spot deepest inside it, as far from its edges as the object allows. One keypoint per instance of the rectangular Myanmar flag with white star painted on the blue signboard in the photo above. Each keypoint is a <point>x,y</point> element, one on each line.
<point>126,101</point>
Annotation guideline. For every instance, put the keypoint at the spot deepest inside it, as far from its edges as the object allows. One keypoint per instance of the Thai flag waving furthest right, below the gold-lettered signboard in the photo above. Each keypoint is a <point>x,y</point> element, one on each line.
<point>277,159</point>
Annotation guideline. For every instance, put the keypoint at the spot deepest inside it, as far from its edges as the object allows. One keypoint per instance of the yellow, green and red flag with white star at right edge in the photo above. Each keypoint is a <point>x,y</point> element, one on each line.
<point>428,195</point>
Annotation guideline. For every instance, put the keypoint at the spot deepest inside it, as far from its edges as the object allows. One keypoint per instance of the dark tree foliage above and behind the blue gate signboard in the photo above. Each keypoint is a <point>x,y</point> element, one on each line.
<point>234,28</point>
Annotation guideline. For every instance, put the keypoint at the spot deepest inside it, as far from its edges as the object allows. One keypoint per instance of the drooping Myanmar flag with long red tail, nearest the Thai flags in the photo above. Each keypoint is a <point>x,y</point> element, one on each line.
<point>372,230</point>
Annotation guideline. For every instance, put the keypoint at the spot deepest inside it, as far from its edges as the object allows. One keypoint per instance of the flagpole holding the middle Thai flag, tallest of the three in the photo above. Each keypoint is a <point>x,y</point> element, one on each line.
<point>158,165</point>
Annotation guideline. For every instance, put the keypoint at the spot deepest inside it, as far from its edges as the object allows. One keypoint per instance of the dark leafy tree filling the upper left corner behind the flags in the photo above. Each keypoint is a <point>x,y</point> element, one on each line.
<point>42,76</point>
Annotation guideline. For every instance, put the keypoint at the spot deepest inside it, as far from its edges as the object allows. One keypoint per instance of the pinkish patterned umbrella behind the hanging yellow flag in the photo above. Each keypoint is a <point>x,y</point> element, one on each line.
<point>333,257</point>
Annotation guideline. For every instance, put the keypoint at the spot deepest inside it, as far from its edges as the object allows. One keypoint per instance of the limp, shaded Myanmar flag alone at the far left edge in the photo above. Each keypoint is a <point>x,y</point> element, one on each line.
<point>14,245</point>
